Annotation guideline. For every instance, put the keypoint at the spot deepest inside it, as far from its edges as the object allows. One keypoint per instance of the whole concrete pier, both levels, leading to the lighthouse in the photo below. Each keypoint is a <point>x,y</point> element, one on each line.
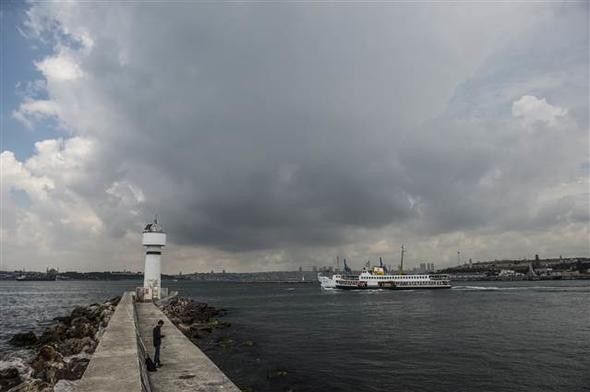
<point>117,363</point>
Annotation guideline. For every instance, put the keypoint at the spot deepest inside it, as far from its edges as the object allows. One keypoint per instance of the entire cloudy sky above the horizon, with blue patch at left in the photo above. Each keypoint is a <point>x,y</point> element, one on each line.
<point>269,136</point>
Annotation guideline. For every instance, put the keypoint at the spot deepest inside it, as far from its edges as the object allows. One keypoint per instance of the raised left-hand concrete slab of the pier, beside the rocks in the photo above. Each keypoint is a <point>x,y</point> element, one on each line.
<point>115,364</point>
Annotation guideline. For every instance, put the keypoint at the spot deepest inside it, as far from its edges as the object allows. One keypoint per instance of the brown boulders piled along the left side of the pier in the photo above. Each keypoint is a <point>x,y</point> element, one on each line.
<point>61,352</point>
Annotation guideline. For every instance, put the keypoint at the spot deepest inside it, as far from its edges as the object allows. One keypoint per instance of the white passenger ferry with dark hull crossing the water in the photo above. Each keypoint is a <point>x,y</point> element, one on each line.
<point>378,279</point>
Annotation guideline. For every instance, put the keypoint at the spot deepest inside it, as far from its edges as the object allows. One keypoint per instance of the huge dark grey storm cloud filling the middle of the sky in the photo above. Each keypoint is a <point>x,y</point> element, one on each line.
<point>245,139</point>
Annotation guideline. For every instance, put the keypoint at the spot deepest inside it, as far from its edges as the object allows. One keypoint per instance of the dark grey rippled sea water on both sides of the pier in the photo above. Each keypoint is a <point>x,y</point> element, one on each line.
<point>496,336</point>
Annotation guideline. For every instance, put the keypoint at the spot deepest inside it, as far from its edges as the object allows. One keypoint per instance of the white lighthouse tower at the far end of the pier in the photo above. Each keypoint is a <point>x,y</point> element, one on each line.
<point>154,239</point>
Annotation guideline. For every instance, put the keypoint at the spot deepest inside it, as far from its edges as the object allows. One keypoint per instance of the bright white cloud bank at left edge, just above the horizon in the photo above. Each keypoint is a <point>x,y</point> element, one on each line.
<point>59,222</point>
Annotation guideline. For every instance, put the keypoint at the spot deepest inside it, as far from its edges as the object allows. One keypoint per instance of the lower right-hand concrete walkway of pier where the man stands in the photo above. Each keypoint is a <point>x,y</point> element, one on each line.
<point>185,367</point>
